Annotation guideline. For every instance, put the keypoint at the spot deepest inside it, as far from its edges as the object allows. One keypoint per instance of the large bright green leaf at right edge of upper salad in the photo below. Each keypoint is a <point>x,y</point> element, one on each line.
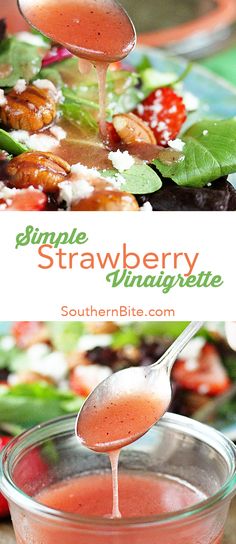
<point>209,153</point>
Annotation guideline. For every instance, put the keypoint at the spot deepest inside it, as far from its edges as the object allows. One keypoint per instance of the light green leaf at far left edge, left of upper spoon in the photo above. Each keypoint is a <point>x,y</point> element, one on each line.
<point>18,60</point>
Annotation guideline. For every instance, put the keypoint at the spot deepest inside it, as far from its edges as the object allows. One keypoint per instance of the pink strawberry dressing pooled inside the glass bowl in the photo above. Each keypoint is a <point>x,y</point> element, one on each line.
<point>140,495</point>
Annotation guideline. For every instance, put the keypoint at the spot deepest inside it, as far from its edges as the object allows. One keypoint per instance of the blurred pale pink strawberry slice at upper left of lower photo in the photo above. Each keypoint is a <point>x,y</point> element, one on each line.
<point>27,333</point>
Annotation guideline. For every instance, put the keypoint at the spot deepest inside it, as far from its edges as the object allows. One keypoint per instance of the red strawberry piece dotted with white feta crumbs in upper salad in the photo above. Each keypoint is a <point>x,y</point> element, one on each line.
<point>164,111</point>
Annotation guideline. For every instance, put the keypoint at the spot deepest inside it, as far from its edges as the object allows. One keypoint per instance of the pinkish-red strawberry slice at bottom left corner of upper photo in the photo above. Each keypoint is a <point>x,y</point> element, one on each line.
<point>27,200</point>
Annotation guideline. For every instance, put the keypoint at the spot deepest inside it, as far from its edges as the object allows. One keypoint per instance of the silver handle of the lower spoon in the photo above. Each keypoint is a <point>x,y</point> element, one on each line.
<point>174,350</point>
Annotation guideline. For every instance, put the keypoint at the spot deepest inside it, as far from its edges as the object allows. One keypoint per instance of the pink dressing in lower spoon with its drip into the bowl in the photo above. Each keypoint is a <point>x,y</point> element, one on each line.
<point>106,428</point>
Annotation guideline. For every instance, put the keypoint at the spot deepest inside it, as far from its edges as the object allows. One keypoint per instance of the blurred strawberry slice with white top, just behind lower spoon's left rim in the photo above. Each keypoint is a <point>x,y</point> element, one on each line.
<point>84,378</point>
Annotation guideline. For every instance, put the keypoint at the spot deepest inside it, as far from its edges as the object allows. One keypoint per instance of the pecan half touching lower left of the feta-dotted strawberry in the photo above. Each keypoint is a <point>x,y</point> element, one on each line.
<point>132,129</point>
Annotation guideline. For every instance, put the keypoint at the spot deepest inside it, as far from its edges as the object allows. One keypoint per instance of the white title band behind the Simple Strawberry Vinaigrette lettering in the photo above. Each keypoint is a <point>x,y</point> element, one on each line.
<point>30,293</point>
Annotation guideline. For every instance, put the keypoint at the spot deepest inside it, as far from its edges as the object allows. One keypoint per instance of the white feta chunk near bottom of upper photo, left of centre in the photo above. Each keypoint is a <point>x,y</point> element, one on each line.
<point>72,191</point>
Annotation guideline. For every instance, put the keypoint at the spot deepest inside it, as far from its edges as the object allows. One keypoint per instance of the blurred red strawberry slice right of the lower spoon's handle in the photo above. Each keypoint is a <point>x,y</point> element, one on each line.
<point>207,376</point>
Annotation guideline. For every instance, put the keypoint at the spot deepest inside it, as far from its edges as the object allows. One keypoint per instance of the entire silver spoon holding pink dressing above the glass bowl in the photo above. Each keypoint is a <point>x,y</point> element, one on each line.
<point>128,403</point>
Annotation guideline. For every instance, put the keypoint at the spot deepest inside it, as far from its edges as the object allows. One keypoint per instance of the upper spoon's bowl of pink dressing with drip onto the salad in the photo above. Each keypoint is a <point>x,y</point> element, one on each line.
<point>98,31</point>
